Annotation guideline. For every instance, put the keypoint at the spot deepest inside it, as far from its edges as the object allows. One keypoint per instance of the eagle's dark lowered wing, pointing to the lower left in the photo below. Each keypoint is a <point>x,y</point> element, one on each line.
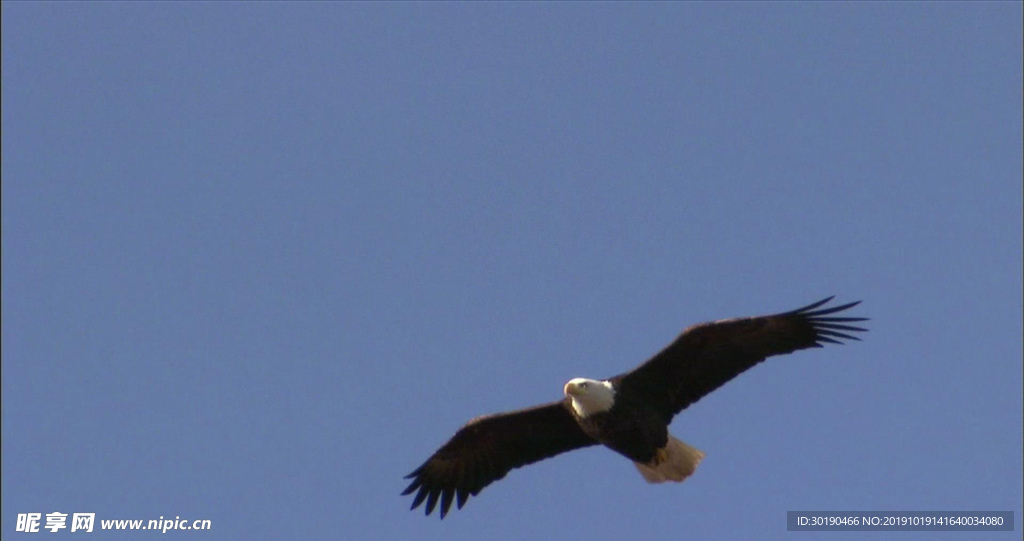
<point>488,448</point>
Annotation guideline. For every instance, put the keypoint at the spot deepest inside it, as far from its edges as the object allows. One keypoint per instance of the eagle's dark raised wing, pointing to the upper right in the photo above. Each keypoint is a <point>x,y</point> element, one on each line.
<point>708,356</point>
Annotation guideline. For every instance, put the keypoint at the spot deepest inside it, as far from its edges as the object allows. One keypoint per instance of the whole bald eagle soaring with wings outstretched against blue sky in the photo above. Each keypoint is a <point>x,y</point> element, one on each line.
<point>629,413</point>
